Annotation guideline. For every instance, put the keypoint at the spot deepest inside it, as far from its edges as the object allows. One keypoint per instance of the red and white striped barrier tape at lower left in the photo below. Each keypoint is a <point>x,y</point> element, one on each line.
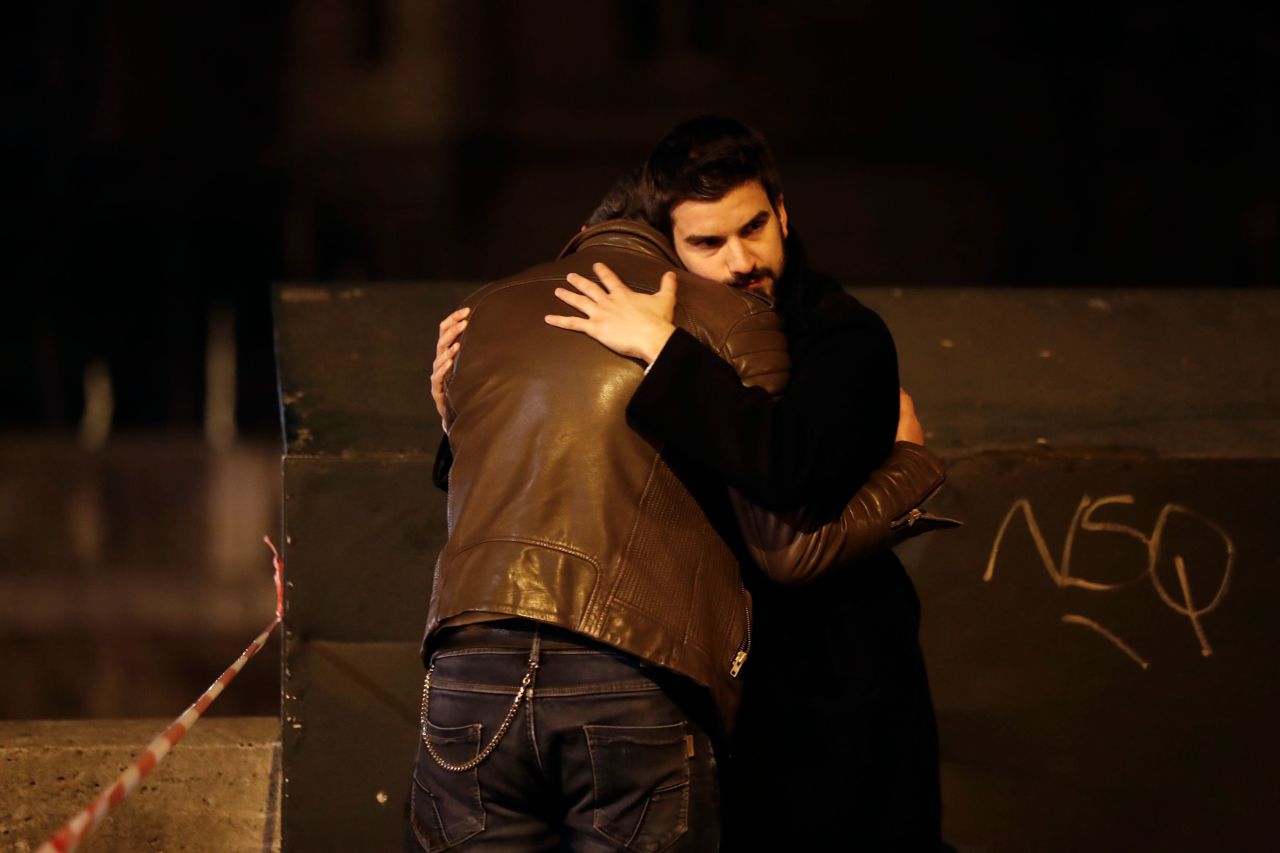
<point>77,829</point>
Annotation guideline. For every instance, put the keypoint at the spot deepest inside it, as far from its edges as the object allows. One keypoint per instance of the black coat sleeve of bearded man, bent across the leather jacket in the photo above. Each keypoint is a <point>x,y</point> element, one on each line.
<point>819,443</point>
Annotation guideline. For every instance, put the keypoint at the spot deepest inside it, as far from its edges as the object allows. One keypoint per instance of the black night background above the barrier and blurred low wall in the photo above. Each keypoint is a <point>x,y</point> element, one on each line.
<point>164,159</point>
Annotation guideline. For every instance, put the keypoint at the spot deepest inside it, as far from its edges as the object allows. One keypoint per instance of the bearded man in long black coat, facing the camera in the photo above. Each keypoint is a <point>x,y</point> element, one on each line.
<point>838,741</point>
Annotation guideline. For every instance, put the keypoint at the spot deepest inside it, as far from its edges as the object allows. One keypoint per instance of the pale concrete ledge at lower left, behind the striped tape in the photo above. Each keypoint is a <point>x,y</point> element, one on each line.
<point>216,793</point>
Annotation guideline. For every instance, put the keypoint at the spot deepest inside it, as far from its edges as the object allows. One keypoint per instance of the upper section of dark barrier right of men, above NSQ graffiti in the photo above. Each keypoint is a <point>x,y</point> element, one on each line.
<point>1190,373</point>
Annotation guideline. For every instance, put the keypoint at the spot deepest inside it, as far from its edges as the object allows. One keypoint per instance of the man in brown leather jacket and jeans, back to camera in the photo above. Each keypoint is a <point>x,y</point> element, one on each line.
<point>596,573</point>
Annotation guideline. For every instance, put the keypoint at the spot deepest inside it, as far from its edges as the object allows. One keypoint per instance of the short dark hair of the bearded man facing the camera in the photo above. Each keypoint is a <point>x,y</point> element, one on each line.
<point>705,159</point>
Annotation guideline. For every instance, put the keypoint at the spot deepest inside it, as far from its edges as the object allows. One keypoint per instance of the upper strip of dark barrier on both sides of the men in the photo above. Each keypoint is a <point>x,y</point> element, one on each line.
<point>1187,373</point>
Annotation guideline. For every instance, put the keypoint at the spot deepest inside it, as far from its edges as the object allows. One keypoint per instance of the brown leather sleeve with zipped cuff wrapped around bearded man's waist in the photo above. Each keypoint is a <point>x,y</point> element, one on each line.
<point>794,549</point>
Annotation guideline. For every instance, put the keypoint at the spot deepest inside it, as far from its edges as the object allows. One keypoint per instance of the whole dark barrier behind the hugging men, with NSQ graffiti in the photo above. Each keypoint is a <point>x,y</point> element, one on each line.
<point>1100,635</point>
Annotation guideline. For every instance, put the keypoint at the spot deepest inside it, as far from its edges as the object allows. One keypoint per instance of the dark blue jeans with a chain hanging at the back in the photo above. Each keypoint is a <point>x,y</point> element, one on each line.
<point>598,758</point>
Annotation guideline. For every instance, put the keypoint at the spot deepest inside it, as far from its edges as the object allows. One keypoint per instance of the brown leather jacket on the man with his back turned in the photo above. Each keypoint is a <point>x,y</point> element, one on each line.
<point>560,513</point>
